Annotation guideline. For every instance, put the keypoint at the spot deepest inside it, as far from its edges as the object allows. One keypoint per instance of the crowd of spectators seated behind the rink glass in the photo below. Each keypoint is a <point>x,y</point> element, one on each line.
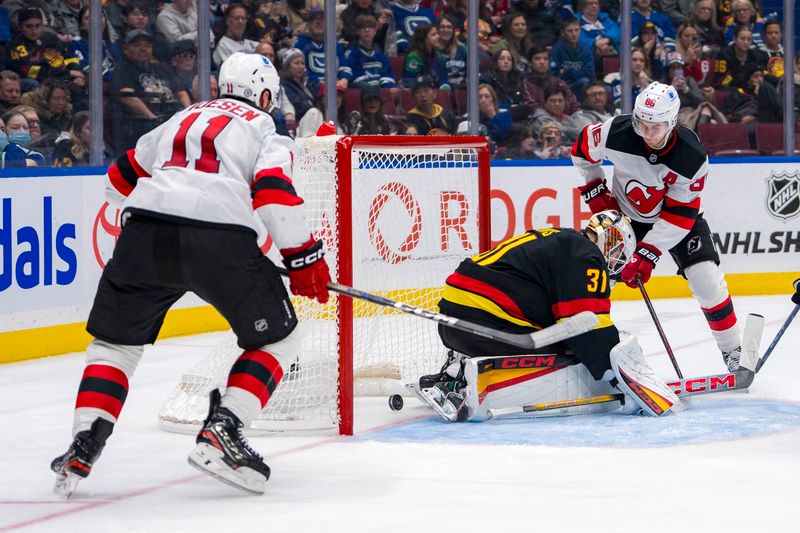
<point>547,67</point>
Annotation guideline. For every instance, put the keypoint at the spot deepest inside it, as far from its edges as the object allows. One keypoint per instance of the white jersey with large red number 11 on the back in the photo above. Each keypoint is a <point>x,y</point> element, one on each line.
<point>215,162</point>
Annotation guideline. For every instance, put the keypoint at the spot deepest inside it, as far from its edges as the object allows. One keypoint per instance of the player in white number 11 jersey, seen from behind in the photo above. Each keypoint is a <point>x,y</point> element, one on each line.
<point>187,193</point>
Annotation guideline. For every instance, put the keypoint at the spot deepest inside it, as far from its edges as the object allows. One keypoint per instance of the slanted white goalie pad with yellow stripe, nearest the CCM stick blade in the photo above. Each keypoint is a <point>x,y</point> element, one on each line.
<point>637,380</point>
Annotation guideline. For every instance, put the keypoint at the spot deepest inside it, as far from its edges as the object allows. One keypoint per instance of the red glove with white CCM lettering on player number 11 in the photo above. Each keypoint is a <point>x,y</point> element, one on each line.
<point>308,271</point>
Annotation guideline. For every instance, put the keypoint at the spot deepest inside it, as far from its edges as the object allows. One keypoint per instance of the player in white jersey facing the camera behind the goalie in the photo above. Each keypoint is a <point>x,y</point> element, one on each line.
<point>660,170</point>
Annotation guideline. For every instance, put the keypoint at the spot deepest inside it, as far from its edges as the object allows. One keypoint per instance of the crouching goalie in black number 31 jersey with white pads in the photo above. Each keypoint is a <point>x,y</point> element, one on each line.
<point>528,283</point>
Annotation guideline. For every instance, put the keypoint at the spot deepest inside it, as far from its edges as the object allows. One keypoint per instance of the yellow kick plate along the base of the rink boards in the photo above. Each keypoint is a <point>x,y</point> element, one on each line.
<point>27,344</point>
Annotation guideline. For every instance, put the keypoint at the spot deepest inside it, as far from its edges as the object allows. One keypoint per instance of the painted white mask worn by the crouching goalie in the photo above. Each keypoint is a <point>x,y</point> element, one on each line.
<point>611,231</point>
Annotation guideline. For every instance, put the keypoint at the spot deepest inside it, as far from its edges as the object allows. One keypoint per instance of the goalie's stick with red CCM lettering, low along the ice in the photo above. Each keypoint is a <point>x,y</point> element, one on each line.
<point>739,380</point>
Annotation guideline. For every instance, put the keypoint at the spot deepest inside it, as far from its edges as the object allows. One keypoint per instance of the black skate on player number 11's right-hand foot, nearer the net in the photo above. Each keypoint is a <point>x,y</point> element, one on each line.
<point>222,452</point>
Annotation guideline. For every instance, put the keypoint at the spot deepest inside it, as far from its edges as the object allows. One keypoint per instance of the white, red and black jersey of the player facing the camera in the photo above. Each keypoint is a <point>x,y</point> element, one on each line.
<point>660,187</point>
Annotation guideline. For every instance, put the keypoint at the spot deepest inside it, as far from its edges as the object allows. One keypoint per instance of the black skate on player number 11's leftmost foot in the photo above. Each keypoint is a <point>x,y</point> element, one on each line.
<point>76,463</point>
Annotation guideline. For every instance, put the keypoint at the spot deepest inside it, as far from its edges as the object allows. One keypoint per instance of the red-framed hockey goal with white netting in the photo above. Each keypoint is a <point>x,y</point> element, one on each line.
<point>397,215</point>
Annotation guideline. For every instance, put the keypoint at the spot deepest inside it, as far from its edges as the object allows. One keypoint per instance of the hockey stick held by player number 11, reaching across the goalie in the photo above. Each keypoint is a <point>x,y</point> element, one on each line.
<point>571,327</point>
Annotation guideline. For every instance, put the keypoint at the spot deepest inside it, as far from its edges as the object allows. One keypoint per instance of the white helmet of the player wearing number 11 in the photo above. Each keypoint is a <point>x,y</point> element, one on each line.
<point>247,76</point>
